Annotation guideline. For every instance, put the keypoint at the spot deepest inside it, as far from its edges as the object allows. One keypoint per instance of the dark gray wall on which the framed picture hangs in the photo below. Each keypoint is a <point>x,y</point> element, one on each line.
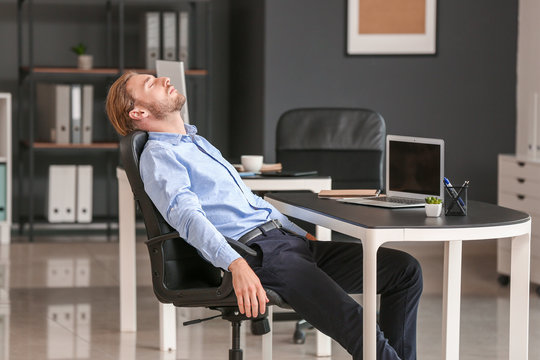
<point>464,94</point>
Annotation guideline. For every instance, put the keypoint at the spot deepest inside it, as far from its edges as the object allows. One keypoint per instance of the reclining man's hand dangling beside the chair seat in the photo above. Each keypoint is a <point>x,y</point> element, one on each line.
<point>247,286</point>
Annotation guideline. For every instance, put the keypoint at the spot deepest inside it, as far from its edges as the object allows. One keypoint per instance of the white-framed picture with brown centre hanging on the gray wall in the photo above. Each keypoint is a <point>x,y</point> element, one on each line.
<point>391,27</point>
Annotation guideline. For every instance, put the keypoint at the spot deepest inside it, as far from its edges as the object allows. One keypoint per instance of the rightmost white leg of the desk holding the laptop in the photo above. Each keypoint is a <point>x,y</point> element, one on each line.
<point>519,297</point>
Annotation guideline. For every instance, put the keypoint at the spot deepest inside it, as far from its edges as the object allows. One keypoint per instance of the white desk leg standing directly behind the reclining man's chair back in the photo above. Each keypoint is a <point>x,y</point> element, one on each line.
<point>126,236</point>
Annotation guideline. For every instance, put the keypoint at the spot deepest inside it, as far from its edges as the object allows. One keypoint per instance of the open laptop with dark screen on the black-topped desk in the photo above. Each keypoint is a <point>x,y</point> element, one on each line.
<point>414,171</point>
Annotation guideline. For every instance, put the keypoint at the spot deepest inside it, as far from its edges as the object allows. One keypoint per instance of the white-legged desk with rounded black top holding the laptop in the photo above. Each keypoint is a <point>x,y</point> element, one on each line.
<point>376,226</point>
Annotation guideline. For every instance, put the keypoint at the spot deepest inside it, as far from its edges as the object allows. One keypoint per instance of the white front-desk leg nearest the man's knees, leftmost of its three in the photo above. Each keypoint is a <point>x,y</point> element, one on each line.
<point>370,298</point>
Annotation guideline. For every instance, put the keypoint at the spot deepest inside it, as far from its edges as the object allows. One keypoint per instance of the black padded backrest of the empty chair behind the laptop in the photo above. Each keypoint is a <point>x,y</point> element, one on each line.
<point>346,144</point>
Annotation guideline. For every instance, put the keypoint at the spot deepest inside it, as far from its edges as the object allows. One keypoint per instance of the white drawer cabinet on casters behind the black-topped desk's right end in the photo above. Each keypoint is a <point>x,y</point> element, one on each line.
<point>519,188</point>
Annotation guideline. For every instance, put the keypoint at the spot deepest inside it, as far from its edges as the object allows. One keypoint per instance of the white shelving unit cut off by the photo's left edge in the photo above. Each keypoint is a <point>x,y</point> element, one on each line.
<point>5,164</point>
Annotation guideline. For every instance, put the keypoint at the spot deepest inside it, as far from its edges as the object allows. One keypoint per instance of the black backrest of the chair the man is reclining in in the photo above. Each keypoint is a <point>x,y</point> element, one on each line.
<point>182,267</point>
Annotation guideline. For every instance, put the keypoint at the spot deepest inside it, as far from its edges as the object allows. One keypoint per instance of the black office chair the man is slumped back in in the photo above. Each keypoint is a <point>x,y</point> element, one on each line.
<point>179,275</point>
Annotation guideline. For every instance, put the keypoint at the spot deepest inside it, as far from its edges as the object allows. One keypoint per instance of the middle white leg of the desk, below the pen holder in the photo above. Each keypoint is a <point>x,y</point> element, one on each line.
<point>451,299</point>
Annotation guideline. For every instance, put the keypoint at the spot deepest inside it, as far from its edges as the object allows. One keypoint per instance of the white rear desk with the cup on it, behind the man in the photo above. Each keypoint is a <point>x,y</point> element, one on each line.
<point>167,312</point>
